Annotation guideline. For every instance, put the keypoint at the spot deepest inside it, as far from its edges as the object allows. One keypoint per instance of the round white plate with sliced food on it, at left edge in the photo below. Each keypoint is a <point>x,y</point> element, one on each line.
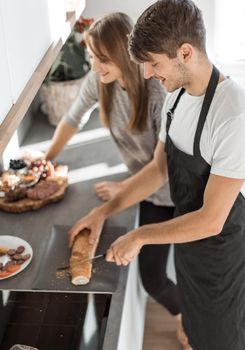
<point>15,255</point>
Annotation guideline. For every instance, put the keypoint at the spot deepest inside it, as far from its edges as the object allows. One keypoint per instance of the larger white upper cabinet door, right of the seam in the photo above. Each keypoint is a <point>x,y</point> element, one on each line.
<point>29,27</point>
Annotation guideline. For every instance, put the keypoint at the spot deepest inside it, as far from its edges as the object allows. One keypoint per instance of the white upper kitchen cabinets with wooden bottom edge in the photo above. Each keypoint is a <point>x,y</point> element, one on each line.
<point>31,36</point>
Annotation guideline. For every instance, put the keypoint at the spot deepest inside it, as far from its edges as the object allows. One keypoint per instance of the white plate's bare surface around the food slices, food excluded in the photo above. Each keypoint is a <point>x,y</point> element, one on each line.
<point>13,242</point>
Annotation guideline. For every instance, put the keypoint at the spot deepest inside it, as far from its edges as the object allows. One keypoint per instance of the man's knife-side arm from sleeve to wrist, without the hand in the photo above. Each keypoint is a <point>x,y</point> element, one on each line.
<point>220,195</point>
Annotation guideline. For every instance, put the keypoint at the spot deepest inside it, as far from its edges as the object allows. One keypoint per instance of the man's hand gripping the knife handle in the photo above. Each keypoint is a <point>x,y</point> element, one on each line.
<point>125,248</point>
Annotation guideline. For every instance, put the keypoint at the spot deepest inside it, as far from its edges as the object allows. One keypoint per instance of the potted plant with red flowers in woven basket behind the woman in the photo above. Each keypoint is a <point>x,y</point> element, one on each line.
<point>64,78</point>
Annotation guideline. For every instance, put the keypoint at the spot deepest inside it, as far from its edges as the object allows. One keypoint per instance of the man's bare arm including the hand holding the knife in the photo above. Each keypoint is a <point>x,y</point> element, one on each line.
<point>219,197</point>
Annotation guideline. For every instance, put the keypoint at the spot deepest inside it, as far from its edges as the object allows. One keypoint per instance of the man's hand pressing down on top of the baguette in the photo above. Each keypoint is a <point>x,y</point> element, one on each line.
<point>94,222</point>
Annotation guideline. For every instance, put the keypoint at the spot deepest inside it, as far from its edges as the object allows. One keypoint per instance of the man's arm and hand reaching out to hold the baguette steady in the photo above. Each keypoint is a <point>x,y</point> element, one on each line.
<point>134,189</point>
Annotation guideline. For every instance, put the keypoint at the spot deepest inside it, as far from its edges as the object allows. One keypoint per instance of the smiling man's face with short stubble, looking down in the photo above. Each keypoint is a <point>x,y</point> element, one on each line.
<point>171,72</point>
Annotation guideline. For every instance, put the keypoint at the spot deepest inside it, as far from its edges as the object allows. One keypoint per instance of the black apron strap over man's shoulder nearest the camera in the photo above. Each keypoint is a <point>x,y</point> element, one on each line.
<point>213,82</point>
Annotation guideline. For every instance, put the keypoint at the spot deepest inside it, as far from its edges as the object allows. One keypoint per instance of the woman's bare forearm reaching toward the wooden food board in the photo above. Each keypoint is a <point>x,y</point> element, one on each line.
<point>62,135</point>
